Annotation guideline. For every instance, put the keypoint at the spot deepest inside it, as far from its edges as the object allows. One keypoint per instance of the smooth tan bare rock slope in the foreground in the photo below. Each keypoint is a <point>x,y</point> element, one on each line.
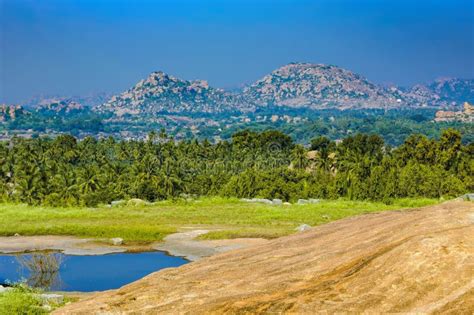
<point>420,261</point>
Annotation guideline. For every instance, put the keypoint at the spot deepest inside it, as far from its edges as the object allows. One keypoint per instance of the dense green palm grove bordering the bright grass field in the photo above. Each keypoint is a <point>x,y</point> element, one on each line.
<point>65,171</point>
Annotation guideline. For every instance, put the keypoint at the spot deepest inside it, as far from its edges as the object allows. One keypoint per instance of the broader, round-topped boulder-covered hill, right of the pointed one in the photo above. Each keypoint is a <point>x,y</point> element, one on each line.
<point>321,86</point>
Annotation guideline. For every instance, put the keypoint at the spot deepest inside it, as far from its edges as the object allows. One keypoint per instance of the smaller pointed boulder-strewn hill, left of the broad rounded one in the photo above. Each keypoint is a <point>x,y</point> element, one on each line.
<point>163,93</point>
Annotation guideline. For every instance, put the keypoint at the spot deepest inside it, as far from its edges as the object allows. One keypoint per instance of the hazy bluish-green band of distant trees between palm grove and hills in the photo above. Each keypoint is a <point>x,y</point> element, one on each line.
<point>394,126</point>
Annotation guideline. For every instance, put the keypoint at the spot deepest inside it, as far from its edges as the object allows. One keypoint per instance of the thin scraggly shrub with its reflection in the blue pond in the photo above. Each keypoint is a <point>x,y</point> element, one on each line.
<point>42,269</point>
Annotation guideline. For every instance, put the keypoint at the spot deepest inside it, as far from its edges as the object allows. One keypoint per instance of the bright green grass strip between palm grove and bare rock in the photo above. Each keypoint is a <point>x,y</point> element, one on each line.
<point>147,223</point>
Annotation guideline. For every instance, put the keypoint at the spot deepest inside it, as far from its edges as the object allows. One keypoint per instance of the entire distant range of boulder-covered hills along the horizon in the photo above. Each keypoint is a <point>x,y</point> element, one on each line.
<point>296,85</point>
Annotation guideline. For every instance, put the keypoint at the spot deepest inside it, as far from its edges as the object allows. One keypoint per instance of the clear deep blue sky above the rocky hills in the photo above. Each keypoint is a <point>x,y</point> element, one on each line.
<point>79,47</point>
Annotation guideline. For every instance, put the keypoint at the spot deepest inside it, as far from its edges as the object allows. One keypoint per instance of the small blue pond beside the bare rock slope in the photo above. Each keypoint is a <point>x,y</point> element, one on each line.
<point>60,272</point>
